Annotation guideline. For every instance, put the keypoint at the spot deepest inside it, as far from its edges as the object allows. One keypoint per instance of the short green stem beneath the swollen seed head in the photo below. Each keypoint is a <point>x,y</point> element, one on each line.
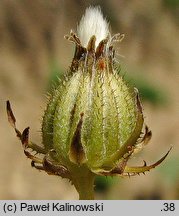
<point>83,181</point>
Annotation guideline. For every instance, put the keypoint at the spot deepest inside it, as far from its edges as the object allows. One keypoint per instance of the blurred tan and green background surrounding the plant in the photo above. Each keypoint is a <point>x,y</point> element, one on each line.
<point>33,52</point>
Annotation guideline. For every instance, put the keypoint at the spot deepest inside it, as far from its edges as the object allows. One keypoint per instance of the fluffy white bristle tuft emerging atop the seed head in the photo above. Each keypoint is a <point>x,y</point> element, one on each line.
<point>92,23</point>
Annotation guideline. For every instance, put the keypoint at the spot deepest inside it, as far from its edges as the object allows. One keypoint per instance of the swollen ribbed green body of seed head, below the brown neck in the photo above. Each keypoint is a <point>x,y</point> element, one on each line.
<point>90,117</point>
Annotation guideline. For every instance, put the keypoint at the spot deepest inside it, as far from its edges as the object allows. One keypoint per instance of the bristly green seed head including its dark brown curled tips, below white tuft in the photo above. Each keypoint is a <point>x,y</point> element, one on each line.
<point>93,113</point>
